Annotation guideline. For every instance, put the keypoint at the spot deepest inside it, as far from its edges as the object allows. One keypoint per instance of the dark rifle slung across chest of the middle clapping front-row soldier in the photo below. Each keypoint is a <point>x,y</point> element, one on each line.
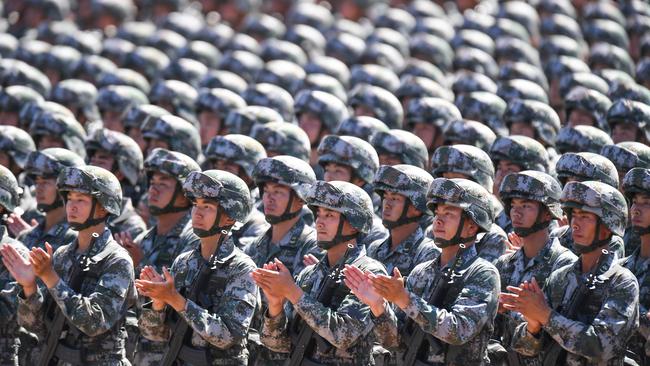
<point>304,345</point>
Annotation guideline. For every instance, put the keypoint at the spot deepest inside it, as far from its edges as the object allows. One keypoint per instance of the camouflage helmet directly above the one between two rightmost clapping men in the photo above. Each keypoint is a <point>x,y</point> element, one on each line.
<point>521,150</point>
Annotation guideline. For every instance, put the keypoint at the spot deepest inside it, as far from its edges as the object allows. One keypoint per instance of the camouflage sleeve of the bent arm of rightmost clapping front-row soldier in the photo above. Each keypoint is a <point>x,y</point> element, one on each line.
<point>604,337</point>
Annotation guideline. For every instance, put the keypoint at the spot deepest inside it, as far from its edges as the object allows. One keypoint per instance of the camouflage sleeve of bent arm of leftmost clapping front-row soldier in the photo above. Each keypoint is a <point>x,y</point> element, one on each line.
<point>104,307</point>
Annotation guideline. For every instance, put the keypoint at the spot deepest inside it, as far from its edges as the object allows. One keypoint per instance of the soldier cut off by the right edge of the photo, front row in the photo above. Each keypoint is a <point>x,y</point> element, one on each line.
<point>636,186</point>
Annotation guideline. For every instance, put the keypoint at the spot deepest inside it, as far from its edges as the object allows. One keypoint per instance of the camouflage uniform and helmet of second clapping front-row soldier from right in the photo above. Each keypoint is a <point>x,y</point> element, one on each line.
<point>464,321</point>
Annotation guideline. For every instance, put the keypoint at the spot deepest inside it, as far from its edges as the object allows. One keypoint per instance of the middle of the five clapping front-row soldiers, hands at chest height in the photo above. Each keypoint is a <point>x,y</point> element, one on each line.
<point>335,326</point>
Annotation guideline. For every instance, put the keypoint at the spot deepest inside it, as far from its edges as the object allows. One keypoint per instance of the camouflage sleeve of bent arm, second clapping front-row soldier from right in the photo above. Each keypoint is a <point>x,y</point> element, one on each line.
<point>475,306</point>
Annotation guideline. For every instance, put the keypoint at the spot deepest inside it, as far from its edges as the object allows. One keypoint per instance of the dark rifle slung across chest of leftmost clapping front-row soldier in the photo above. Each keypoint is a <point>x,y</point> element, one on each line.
<point>53,350</point>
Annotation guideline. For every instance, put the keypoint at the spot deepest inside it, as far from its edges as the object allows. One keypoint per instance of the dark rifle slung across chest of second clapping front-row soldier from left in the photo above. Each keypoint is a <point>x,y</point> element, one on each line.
<point>177,348</point>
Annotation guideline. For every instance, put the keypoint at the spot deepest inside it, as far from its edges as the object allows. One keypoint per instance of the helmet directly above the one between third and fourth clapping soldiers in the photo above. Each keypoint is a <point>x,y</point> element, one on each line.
<point>409,148</point>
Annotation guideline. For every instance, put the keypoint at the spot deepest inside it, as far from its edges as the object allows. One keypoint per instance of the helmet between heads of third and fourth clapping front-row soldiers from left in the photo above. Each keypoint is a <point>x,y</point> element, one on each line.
<point>407,180</point>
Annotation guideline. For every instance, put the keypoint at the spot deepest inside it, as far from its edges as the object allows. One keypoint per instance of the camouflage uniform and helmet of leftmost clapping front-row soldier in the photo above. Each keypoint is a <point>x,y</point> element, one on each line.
<point>96,314</point>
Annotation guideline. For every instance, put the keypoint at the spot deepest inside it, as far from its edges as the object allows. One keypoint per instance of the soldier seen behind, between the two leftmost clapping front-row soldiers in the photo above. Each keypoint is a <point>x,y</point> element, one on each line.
<point>119,154</point>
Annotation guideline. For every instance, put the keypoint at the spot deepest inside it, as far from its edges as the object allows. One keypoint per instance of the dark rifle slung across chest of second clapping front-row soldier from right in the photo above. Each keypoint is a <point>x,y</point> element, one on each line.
<point>418,342</point>
